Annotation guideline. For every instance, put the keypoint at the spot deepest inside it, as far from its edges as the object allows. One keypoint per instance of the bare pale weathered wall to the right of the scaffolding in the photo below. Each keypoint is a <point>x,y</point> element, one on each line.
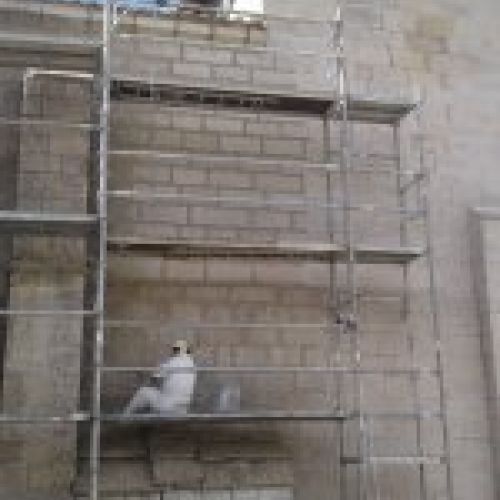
<point>451,49</point>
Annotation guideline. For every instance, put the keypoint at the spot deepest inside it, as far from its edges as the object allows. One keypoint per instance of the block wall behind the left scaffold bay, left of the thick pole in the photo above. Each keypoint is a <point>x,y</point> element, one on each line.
<point>42,353</point>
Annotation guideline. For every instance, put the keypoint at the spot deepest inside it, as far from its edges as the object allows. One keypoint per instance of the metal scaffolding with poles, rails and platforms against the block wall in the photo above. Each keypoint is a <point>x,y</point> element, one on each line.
<point>331,218</point>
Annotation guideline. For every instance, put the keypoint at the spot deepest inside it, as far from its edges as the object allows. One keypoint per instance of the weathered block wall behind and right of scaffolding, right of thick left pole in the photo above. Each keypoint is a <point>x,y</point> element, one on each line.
<point>448,49</point>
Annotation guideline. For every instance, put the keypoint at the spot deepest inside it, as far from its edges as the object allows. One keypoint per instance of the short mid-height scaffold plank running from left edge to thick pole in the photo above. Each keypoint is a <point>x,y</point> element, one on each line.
<point>16,222</point>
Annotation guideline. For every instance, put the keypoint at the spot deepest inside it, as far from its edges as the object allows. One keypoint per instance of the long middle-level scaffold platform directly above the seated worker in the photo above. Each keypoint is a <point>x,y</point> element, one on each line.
<point>319,252</point>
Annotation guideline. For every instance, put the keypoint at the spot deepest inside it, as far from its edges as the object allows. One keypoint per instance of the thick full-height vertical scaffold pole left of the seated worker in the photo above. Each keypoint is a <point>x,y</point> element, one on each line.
<point>101,268</point>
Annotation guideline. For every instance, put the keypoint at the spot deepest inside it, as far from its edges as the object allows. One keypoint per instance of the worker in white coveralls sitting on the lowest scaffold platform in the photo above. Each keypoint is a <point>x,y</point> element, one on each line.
<point>176,379</point>
